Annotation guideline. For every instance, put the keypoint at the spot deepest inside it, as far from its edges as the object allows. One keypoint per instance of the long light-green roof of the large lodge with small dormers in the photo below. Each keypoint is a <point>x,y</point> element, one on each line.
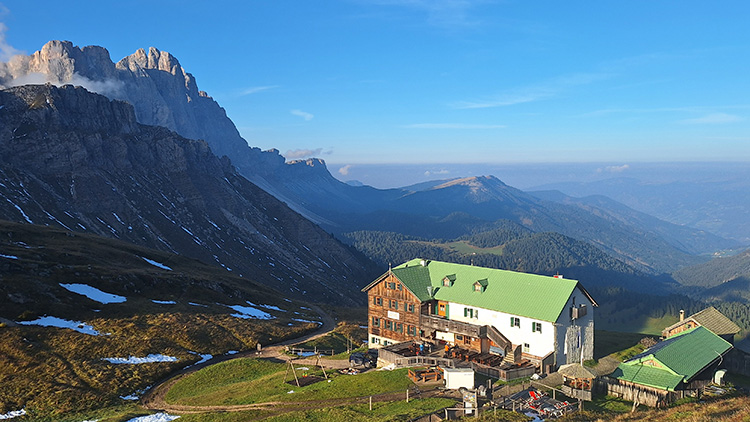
<point>530,295</point>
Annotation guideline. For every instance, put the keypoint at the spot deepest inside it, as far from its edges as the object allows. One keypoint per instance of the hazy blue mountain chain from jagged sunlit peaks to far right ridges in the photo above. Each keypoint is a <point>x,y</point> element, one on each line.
<point>165,94</point>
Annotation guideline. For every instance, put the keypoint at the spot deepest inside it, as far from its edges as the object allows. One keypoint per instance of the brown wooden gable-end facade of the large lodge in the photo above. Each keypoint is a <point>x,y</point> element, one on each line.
<point>394,311</point>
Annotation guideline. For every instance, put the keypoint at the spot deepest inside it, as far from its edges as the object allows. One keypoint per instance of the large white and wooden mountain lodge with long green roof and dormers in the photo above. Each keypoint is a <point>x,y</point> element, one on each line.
<point>548,321</point>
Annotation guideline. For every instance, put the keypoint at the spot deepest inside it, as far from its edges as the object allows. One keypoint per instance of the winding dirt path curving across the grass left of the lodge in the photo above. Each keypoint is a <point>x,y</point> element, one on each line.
<point>154,399</point>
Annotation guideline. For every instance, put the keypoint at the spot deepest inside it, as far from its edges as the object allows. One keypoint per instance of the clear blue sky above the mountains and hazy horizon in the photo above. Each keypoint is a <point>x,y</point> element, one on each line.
<point>443,81</point>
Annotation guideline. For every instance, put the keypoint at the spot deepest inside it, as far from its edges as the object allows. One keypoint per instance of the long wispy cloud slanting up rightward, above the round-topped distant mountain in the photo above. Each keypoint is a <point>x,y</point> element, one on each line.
<point>541,91</point>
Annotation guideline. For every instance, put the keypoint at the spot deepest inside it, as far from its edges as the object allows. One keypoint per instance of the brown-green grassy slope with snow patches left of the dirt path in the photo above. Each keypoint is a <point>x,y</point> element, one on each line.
<point>53,371</point>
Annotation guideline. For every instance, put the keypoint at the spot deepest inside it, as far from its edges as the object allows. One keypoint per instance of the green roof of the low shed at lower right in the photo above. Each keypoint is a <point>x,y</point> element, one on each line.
<point>683,355</point>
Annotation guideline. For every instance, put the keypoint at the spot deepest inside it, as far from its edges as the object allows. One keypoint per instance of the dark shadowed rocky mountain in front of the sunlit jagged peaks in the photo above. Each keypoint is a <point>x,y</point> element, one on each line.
<point>78,160</point>
